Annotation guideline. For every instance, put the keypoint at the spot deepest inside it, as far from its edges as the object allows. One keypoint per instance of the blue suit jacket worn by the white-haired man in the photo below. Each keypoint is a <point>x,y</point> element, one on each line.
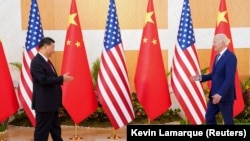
<point>223,76</point>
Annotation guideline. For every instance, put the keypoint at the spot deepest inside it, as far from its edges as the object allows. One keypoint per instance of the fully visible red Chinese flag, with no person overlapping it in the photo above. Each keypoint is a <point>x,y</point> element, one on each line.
<point>150,77</point>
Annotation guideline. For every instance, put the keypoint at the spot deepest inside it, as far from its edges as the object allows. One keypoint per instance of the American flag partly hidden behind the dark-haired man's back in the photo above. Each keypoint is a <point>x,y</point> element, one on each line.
<point>34,35</point>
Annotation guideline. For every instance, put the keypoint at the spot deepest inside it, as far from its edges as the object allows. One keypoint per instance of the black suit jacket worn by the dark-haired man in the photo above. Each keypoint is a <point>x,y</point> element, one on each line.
<point>47,91</point>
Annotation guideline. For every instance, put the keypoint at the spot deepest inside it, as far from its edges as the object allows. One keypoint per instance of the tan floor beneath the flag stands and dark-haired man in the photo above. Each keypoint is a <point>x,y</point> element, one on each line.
<point>69,133</point>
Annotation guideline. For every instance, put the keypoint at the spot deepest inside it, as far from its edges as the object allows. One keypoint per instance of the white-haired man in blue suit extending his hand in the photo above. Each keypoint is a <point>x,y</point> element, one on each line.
<point>222,93</point>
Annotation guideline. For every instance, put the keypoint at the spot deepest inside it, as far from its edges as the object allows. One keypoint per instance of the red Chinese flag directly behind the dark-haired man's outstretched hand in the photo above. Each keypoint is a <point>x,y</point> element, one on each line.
<point>79,98</point>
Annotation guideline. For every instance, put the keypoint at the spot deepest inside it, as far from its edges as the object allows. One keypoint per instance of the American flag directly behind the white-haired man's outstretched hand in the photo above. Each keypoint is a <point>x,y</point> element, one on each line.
<point>189,94</point>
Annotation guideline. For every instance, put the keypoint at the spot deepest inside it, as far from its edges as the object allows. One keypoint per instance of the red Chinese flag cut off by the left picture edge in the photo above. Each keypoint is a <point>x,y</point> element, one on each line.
<point>8,99</point>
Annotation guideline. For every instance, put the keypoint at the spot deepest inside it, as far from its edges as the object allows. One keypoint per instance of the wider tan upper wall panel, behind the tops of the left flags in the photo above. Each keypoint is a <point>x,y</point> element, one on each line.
<point>93,13</point>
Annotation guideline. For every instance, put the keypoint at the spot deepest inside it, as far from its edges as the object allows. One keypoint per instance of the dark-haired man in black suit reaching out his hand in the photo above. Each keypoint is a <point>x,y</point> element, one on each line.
<point>47,92</point>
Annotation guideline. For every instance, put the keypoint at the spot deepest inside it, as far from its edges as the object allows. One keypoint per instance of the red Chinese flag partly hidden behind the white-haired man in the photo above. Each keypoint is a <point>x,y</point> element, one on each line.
<point>223,26</point>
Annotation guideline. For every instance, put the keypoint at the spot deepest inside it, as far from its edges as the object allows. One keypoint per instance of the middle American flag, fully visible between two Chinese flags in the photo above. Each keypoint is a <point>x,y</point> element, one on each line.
<point>112,84</point>
